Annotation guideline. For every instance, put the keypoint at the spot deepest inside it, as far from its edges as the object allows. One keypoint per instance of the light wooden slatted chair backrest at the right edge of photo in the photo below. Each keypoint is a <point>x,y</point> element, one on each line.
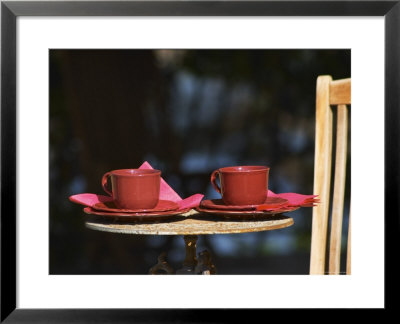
<point>331,95</point>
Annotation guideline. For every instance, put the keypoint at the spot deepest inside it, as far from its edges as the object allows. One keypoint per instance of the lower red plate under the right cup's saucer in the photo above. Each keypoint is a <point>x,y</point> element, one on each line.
<point>245,214</point>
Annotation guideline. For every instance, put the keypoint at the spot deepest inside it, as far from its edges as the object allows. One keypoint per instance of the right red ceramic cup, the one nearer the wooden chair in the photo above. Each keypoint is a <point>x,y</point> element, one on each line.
<point>242,185</point>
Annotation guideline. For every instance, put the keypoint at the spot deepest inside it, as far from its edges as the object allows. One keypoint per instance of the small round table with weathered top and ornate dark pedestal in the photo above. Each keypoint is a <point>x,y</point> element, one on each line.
<point>190,225</point>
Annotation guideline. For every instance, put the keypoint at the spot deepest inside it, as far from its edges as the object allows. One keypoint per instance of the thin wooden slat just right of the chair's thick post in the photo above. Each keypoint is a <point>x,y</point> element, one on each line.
<point>338,190</point>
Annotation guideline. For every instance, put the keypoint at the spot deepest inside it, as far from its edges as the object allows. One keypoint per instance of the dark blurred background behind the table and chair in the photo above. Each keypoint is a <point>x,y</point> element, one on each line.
<point>186,112</point>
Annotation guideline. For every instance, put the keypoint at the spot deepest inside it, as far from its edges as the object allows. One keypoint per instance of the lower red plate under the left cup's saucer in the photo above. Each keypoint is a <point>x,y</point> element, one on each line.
<point>136,216</point>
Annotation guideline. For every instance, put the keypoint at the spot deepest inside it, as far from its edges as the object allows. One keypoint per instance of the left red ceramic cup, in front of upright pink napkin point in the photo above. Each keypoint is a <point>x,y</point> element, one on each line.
<point>133,188</point>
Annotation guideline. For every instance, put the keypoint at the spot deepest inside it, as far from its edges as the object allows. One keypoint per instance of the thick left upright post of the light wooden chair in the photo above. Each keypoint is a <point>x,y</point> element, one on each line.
<point>322,175</point>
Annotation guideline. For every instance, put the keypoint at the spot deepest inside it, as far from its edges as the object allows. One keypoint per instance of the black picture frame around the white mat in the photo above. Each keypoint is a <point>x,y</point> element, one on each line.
<point>10,10</point>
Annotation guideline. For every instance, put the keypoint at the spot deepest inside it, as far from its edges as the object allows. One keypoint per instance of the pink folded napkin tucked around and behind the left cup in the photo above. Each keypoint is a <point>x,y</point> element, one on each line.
<point>166,193</point>
